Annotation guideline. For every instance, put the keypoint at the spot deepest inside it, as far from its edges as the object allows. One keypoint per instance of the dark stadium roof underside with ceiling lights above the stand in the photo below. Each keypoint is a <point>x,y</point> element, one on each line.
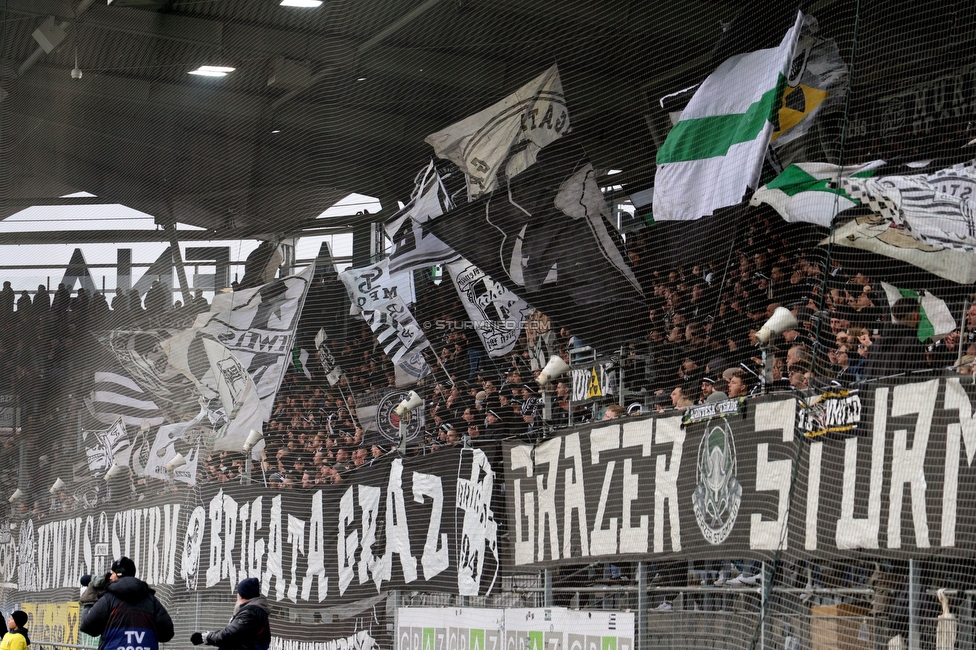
<point>323,101</point>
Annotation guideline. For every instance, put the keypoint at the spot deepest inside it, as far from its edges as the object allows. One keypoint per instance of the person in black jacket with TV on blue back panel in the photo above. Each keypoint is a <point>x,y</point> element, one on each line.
<point>128,614</point>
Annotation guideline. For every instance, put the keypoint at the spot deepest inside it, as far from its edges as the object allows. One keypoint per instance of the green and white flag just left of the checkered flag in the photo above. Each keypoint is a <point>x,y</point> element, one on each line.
<point>801,192</point>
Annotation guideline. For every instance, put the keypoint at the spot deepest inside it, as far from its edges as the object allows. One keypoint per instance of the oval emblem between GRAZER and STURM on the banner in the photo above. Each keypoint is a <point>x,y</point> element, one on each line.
<point>718,496</point>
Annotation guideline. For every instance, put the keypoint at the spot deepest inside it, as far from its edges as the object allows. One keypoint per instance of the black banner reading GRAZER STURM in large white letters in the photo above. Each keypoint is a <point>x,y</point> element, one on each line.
<point>890,472</point>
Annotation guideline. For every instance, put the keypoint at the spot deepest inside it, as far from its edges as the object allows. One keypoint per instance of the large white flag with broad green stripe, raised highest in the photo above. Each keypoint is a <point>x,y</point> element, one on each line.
<point>715,152</point>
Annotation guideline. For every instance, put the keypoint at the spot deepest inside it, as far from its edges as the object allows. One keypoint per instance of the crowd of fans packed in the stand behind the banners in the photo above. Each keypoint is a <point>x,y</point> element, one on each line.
<point>699,344</point>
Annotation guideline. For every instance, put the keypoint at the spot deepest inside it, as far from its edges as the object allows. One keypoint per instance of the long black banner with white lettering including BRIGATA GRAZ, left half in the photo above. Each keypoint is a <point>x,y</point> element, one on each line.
<point>420,523</point>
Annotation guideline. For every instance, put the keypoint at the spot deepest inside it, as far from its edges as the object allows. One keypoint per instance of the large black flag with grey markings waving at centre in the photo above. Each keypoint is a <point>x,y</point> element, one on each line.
<point>546,237</point>
